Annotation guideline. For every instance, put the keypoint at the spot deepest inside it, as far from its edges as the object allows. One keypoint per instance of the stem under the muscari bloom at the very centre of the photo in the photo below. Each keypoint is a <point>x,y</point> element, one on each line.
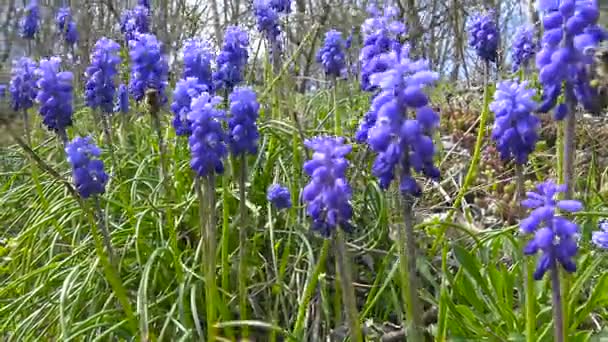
<point>348,290</point>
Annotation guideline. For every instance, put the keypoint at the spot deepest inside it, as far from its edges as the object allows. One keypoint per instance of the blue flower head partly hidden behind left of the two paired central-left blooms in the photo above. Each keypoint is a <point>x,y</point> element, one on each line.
<point>185,90</point>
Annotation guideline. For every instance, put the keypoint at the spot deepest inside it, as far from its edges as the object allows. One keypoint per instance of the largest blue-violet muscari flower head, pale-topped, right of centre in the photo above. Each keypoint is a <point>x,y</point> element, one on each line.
<point>401,141</point>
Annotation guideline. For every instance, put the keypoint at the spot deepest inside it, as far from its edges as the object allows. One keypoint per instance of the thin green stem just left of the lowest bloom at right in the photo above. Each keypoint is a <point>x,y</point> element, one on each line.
<point>528,266</point>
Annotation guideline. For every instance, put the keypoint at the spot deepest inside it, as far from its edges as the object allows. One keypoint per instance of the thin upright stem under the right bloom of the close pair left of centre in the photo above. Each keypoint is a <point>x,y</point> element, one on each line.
<point>243,243</point>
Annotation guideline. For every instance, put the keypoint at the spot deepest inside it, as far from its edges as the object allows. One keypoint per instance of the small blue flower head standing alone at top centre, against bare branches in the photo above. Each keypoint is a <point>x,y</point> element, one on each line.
<point>331,54</point>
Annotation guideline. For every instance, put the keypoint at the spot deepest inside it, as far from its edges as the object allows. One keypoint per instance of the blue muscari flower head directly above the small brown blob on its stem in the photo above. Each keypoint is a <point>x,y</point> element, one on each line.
<point>149,68</point>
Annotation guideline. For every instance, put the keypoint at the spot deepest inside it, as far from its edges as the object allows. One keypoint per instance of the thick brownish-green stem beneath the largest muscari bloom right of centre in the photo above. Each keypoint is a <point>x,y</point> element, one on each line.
<point>407,262</point>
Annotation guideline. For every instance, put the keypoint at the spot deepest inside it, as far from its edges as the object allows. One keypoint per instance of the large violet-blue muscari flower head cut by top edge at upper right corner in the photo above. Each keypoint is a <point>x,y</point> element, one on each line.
<point>571,35</point>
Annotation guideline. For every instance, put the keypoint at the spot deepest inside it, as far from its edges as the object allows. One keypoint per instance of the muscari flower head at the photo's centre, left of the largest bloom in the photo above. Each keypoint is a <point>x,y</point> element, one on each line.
<point>328,193</point>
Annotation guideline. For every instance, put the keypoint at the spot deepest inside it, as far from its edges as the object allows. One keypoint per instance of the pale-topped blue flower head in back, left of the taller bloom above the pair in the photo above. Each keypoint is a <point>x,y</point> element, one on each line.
<point>198,56</point>
